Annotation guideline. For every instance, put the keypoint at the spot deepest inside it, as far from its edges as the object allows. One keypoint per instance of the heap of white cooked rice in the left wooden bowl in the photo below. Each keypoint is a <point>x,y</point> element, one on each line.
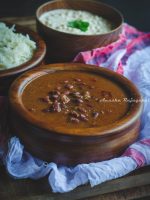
<point>15,48</point>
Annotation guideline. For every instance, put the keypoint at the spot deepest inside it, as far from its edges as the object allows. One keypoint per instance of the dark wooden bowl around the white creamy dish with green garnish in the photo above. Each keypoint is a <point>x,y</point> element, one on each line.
<point>63,47</point>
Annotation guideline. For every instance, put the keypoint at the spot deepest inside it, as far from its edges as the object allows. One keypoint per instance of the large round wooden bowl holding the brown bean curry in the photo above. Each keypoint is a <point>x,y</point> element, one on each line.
<point>70,146</point>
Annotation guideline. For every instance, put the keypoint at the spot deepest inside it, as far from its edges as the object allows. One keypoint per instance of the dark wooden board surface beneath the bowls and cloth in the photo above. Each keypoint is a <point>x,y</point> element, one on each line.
<point>133,186</point>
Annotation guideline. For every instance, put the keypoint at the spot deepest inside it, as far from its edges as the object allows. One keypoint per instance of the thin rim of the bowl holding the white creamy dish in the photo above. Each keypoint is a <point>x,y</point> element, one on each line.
<point>78,35</point>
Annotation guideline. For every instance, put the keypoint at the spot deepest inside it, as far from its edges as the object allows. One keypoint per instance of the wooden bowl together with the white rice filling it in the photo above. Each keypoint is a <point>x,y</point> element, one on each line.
<point>8,74</point>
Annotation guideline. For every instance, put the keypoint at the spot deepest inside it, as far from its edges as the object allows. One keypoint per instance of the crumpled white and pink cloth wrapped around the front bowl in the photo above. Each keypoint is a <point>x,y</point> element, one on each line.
<point>129,56</point>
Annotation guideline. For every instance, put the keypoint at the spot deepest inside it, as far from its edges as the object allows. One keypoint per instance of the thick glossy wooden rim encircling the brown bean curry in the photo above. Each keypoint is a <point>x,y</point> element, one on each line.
<point>113,128</point>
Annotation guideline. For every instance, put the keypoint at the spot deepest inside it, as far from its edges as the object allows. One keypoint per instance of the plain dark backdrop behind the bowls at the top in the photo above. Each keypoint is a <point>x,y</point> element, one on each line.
<point>136,12</point>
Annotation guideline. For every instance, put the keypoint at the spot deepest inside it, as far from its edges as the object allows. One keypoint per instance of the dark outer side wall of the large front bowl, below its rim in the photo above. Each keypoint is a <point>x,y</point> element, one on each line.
<point>67,151</point>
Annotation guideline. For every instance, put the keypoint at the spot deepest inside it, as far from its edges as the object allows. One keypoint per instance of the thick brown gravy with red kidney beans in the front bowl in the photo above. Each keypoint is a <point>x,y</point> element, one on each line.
<point>75,99</point>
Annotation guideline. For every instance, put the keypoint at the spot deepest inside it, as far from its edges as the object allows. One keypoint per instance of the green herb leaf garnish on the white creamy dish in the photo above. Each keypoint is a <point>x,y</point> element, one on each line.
<point>79,24</point>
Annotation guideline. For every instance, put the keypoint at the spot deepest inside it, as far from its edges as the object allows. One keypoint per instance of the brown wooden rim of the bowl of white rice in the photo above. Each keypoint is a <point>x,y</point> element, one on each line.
<point>38,54</point>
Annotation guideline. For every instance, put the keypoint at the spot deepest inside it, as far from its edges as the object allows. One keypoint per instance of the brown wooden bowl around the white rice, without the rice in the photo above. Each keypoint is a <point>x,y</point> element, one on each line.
<point>7,76</point>
